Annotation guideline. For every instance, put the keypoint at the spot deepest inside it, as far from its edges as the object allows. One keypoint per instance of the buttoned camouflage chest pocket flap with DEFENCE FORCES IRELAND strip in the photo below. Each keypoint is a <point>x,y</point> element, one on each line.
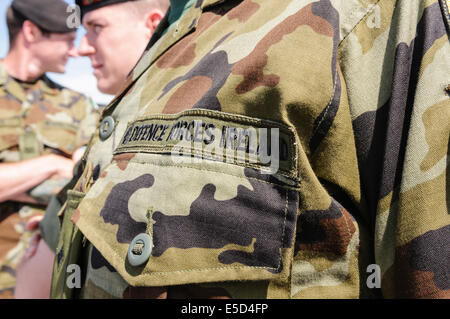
<point>194,198</point>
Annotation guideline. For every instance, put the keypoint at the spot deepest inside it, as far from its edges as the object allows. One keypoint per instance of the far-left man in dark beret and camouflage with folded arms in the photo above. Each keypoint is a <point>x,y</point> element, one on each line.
<point>44,127</point>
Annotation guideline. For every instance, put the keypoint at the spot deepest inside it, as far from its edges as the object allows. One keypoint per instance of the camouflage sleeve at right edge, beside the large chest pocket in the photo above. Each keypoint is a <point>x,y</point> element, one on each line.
<point>395,65</point>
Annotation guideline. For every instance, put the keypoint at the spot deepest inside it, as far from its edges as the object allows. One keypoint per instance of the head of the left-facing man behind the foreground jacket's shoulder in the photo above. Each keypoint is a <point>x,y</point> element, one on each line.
<point>116,36</point>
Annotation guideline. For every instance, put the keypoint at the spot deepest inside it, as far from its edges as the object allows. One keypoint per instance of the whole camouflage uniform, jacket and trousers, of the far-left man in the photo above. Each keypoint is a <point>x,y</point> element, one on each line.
<point>35,119</point>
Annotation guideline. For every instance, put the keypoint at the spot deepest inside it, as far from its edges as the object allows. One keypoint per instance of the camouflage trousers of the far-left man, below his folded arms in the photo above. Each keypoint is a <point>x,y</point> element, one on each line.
<point>14,241</point>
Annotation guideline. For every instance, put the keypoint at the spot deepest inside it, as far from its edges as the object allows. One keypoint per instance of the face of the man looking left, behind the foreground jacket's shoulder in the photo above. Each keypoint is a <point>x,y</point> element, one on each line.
<point>114,41</point>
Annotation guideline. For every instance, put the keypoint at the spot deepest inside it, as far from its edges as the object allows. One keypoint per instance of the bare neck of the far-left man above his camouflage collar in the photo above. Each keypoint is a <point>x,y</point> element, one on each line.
<point>20,65</point>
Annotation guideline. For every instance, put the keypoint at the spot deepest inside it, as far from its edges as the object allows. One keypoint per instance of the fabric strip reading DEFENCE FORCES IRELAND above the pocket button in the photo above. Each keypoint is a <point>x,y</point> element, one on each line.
<point>204,134</point>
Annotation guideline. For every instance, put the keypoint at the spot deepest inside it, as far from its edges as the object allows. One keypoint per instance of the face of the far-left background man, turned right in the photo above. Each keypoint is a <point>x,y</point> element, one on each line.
<point>53,51</point>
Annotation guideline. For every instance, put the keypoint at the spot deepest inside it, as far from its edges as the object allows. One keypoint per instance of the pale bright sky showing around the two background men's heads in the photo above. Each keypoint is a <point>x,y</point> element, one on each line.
<point>78,74</point>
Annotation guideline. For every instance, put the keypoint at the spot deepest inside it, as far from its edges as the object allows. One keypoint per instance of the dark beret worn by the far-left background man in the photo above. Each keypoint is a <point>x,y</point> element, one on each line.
<point>50,15</point>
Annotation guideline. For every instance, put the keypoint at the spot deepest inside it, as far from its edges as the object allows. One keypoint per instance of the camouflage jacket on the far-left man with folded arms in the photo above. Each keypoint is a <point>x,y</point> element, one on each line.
<point>41,118</point>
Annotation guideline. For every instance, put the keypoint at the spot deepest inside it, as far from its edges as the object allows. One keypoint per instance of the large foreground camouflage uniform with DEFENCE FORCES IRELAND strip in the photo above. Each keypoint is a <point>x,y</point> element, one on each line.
<point>356,90</point>
